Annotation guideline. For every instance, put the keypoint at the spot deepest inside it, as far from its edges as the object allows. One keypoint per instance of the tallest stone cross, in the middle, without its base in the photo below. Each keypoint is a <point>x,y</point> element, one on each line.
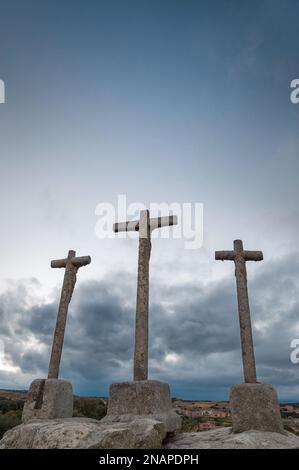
<point>145,226</point>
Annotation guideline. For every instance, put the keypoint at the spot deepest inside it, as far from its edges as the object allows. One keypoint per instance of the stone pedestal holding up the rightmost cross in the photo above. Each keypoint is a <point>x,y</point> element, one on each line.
<point>255,407</point>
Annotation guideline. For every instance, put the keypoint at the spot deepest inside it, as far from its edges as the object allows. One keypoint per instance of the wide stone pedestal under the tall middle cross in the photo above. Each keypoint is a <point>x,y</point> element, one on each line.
<point>144,399</point>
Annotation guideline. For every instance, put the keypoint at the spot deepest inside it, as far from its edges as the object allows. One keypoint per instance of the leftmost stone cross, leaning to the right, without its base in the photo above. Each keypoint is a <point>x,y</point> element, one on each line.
<point>71,265</point>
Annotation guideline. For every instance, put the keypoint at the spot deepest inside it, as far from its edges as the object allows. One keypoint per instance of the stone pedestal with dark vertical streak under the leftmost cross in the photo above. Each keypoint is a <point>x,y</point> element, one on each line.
<point>48,399</point>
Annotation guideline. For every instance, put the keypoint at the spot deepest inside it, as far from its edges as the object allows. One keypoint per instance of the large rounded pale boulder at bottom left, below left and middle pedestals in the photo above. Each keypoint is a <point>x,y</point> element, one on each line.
<point>82,433</point>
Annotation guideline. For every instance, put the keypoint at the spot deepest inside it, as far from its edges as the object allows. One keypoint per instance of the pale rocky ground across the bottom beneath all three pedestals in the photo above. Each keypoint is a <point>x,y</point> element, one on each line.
<point>82,433</point>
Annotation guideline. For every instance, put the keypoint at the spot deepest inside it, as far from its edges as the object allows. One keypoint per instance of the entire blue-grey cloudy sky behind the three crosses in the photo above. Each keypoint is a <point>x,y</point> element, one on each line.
<point>174,101</point>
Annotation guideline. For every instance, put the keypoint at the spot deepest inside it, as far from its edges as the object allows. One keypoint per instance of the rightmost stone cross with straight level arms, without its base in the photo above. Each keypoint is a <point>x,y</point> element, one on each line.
<point>239,256</point>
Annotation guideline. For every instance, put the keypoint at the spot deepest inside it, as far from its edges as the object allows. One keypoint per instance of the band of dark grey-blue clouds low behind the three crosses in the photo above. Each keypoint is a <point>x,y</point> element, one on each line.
<point>194,332</point>
